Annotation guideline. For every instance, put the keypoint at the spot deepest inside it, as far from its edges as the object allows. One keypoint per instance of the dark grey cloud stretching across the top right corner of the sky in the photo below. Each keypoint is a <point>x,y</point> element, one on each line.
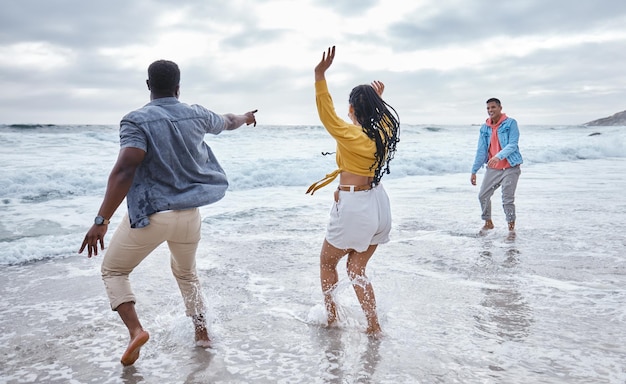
<point>455,24</point>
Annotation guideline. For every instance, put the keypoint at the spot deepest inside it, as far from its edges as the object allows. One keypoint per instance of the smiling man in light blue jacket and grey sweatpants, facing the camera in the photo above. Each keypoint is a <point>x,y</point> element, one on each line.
<point>498,148</point>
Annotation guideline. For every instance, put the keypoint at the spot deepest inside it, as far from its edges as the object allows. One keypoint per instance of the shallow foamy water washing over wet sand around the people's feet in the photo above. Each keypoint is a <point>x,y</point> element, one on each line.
<point>455,307</point>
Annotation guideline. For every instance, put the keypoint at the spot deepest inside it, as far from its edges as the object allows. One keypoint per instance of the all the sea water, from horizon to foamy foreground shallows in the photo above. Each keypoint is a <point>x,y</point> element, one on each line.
<point>549,307</point>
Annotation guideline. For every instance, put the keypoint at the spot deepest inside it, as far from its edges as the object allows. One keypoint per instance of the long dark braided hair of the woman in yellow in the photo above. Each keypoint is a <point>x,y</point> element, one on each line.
<point>380,122</point>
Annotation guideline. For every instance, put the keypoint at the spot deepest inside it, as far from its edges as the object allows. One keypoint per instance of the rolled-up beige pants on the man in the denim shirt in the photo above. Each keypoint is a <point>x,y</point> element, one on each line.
<point>129,246</point>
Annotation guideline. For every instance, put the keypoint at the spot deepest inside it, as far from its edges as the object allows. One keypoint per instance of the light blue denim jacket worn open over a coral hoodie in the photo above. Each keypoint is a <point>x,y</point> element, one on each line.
<point>508,136</point>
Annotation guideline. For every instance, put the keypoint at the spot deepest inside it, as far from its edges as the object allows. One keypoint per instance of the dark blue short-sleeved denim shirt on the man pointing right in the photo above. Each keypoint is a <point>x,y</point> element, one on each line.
<point>179,170</point>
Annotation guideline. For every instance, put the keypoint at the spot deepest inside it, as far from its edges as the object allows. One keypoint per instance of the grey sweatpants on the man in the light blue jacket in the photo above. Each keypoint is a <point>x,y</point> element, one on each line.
<point>494,178</point>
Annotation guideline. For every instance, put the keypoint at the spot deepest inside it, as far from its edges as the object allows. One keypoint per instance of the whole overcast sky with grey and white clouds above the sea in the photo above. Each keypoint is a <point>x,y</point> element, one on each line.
<point>85,62</point>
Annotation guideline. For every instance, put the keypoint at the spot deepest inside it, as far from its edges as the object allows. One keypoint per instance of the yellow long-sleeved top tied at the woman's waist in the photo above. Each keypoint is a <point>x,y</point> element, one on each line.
<point>355,150</point>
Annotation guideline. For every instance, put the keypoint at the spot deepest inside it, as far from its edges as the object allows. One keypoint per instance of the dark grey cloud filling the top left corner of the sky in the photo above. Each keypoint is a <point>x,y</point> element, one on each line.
<point>83,24</point>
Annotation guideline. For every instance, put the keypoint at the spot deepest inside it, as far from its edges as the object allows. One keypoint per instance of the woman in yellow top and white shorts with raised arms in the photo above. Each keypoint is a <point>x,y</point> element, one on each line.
<point>360,218</point>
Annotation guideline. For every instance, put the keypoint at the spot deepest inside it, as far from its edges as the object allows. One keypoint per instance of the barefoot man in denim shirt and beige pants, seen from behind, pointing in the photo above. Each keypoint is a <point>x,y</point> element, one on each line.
<point>165,170</point>
